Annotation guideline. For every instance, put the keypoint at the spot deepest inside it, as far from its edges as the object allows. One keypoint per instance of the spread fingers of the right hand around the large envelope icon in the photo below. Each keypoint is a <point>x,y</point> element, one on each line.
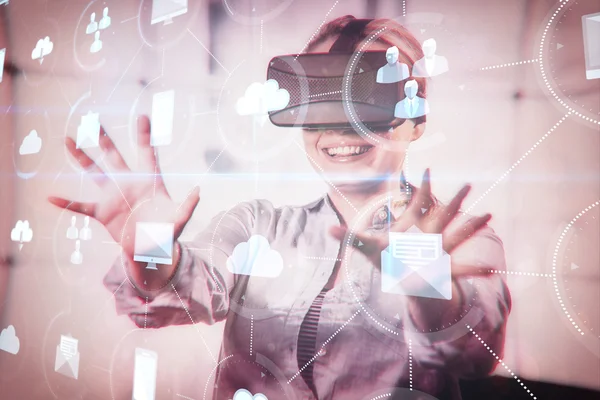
<point>435,219</point>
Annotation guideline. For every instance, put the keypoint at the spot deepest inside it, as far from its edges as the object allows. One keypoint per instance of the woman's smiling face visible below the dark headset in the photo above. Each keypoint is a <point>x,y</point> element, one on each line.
<point>350,161</point>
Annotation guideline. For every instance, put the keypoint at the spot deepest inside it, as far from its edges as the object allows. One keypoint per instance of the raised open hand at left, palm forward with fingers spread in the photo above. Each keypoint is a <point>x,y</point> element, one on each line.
<point>130,197</point>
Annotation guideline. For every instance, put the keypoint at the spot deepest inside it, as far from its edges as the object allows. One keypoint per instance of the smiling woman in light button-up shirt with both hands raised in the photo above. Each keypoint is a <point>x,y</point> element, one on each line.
<point>320,342</point>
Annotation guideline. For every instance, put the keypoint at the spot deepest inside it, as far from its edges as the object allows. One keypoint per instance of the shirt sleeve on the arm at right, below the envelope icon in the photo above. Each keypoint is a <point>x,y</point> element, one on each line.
<point>461,350</point>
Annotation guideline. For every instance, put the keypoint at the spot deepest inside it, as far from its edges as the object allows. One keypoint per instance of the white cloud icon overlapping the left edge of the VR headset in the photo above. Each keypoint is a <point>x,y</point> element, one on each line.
<point>260,98</point>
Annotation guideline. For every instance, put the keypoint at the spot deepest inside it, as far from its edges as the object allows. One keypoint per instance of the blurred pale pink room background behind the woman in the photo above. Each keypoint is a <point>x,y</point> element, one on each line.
<point>515,116</point>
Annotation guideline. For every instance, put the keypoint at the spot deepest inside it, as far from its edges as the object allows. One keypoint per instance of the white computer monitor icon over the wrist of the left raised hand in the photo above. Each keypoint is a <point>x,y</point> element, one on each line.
<point>154,243</point>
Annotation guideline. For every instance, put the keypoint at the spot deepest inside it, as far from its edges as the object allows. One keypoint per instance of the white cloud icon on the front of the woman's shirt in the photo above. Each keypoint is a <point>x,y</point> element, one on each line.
<point>255,258</point>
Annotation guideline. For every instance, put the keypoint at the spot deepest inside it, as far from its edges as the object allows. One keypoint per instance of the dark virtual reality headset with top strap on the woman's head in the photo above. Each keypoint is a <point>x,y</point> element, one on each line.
<point>331,90</point>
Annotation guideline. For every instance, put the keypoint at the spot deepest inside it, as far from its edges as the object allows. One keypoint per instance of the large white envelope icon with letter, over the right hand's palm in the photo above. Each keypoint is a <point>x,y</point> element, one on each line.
<point>415,264</point>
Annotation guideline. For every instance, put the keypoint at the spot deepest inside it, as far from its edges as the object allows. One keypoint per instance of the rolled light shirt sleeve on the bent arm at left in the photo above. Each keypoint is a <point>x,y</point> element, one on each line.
<point>199,290</point>
